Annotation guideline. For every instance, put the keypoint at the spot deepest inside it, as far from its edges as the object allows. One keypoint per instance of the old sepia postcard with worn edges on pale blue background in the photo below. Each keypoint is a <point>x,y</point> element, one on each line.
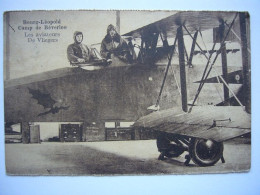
<point>127,92</point>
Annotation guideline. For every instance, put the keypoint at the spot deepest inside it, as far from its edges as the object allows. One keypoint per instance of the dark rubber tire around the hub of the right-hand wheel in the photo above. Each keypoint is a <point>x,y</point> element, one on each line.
<point>198,158</point>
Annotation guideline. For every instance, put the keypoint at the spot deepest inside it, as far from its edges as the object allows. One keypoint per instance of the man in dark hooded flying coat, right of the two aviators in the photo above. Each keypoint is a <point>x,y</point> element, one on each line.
<point>113,43</point>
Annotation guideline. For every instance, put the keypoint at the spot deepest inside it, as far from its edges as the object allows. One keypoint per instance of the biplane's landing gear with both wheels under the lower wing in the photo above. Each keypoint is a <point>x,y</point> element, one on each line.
<point>203,152</point>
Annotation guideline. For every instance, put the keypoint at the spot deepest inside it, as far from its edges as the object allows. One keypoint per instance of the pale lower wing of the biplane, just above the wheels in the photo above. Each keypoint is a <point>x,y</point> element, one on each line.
<point>209,122</point>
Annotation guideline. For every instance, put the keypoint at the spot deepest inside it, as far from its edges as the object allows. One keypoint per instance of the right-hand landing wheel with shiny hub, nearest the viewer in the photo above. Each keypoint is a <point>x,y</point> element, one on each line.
<point>205,152</point>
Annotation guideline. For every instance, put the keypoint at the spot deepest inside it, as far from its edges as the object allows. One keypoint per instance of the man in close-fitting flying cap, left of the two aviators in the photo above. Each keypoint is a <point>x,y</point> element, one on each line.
<point>78,52</point>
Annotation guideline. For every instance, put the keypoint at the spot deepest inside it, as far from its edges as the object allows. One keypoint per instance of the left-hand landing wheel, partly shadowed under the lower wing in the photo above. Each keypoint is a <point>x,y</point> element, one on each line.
<point>169,148</point>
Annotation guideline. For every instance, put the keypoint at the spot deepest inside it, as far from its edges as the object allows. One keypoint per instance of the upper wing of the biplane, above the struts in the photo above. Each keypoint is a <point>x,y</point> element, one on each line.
<point>193,20</point>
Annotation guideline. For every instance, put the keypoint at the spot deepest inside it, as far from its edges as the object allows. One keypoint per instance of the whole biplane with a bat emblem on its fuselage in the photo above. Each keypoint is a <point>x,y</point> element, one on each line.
<point>177,101</point>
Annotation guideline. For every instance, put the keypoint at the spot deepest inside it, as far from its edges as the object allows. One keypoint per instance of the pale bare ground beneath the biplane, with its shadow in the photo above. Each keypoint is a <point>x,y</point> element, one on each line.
<point>114,158</point>
